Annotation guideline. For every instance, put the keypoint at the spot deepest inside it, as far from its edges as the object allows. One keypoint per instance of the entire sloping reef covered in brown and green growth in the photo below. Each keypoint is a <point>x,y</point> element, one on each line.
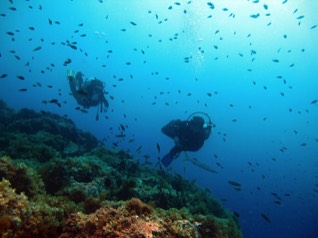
<point>57,181</point>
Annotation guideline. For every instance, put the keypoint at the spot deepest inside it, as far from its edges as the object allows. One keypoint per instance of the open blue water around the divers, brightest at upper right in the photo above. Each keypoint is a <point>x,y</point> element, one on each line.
<point>266,126</point>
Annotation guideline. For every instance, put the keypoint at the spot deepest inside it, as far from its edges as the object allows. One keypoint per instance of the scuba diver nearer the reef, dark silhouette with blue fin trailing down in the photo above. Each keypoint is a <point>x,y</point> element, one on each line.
<point>188,135</point>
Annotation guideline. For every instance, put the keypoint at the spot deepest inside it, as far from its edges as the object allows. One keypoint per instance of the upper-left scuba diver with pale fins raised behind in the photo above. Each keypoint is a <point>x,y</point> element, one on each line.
<point>88,93</point>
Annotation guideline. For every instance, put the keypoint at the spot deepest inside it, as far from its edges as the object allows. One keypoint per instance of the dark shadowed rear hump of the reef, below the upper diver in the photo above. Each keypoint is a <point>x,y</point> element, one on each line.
<point>27,134</point>
